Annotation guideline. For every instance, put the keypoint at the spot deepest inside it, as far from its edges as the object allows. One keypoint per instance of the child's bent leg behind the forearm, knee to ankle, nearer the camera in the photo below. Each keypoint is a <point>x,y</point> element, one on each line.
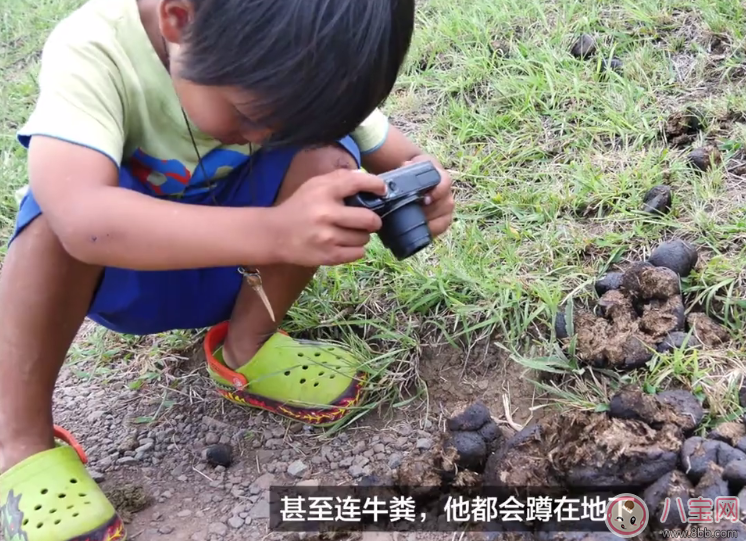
<point>250,324</point>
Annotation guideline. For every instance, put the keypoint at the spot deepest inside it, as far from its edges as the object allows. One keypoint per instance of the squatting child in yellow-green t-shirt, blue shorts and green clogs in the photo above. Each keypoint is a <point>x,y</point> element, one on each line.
<point>175,142</point>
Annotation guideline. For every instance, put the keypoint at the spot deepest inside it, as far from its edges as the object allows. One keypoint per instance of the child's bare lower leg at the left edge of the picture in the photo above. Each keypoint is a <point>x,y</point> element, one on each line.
<point>44,296</point>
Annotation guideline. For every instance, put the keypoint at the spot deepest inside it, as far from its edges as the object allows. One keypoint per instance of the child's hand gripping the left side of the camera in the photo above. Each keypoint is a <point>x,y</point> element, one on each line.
<point>316,228</point>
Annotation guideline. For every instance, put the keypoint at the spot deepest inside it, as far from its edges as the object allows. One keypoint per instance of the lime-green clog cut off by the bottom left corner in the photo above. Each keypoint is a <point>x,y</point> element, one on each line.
<point>51,497</point>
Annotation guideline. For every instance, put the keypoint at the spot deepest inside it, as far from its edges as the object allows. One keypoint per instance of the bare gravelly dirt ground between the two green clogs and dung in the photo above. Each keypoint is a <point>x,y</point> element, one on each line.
<point>146,445</point>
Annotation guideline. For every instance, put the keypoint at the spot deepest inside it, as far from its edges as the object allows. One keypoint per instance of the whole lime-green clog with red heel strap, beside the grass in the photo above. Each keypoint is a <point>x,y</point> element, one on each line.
<point>312,382</point>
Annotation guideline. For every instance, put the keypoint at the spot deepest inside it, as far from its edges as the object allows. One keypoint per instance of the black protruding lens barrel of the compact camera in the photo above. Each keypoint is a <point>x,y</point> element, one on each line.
<point>405,231</point>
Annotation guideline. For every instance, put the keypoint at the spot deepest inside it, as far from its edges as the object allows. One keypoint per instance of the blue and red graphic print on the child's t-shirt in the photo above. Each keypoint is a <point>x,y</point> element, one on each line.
<point>171,177</point>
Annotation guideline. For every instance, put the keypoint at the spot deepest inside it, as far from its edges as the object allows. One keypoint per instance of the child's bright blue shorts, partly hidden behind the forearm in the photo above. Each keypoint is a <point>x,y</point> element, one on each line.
<point>150,302</point>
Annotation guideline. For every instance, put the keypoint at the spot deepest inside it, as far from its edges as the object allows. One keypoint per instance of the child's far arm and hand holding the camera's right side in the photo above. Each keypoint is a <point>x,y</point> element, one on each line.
<point>396,151</point>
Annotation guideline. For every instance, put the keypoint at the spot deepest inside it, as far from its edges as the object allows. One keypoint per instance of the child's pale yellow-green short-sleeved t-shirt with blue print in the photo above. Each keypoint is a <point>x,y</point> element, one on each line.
<point>103,86</point>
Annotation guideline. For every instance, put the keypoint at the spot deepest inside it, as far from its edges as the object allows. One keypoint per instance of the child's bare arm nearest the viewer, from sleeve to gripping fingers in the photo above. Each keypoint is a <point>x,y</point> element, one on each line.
<point>101,224</point>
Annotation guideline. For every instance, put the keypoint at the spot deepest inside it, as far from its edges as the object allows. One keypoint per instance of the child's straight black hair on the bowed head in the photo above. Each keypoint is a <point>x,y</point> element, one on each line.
<point>317,68</point>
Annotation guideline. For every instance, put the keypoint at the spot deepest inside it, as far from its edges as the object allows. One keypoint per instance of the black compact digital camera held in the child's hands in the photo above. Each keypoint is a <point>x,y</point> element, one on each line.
<point>404,231</point>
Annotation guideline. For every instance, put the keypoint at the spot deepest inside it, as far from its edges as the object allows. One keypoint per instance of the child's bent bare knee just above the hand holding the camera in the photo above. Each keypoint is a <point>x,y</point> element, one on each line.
<point>311,163</point>
